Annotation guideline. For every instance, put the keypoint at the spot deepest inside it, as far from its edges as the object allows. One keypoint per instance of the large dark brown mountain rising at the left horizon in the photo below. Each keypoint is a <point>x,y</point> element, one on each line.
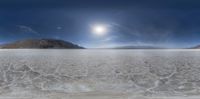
<point>40,44</point>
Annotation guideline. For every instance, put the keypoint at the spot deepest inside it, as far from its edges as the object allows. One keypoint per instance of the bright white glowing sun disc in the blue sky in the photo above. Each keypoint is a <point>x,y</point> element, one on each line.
<point>99,30</point>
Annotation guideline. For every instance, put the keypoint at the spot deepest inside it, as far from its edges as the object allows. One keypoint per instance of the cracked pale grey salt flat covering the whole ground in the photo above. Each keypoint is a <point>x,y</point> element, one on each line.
<point>99,74</point>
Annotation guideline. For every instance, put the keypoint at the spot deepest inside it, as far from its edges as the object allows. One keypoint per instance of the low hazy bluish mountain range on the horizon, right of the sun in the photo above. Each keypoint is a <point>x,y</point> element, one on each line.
<point>138,47</point>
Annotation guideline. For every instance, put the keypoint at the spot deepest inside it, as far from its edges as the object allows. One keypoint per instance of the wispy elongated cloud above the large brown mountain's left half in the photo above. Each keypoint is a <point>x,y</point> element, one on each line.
<point>26,29</point>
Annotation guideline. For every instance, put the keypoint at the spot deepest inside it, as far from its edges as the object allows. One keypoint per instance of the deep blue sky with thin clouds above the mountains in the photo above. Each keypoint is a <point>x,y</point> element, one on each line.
<point>162,23</point>
